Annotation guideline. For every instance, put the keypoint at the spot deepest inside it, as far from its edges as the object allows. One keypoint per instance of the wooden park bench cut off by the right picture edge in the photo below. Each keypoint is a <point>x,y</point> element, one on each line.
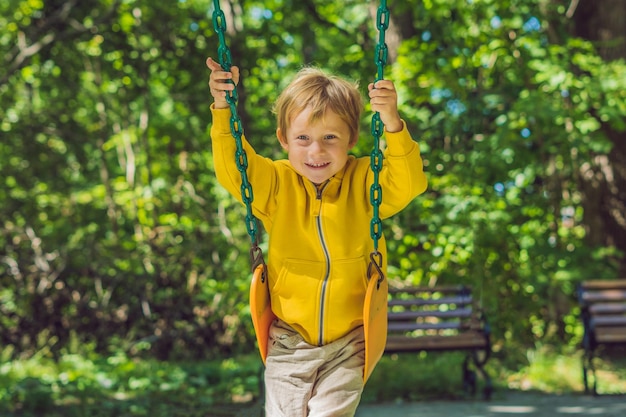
<point>603,313</point>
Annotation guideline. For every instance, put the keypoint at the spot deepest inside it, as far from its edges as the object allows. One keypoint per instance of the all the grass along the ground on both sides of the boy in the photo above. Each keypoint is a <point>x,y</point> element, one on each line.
<point>122,386</point>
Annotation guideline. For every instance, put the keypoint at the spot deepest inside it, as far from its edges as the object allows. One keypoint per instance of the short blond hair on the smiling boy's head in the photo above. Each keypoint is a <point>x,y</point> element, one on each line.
<point>320,91</point>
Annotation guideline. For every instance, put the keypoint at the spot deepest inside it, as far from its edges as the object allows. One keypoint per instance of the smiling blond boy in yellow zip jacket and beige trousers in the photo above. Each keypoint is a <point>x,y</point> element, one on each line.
<point>316,209</point>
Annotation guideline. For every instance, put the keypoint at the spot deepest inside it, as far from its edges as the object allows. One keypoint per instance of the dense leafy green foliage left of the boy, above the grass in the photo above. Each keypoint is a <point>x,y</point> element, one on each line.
<point>111,223</point>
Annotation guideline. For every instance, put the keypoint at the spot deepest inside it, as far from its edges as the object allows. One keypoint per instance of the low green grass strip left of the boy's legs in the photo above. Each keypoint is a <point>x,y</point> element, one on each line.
<point>122,386</point>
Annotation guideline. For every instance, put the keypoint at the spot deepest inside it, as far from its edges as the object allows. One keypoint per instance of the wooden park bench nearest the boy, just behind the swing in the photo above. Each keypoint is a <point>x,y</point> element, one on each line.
<point>441,319</point>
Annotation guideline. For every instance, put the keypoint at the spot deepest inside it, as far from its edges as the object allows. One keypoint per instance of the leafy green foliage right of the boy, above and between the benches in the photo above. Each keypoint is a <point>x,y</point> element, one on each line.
<point>507,123</point>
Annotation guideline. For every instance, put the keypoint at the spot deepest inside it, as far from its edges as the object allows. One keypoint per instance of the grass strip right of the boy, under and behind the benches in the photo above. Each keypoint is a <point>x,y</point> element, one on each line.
<point>438,375</point>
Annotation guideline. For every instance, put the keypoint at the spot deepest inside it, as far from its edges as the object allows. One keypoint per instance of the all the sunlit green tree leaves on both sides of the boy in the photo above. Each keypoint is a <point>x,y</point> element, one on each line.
<point>106,161</point>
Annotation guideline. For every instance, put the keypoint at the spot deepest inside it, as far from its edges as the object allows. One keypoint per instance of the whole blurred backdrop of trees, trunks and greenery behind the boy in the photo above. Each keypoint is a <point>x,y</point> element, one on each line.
<point>124,267</point>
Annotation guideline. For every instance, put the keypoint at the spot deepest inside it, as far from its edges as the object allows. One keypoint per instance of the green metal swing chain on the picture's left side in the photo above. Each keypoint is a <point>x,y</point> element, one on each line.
<point>236,129</point>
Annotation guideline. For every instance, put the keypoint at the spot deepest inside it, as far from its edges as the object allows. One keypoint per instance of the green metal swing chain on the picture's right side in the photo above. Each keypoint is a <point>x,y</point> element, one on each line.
<point>376,158</point>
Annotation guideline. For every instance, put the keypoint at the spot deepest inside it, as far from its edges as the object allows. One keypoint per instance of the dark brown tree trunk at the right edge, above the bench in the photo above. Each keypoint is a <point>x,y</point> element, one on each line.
<point>603,179</point>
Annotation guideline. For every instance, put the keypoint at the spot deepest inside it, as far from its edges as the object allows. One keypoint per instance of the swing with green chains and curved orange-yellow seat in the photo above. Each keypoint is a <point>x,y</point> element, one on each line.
<point>375,303</point>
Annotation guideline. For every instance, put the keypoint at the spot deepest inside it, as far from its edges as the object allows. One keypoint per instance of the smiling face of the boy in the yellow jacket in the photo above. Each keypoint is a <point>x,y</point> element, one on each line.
<point>319,149</point>
